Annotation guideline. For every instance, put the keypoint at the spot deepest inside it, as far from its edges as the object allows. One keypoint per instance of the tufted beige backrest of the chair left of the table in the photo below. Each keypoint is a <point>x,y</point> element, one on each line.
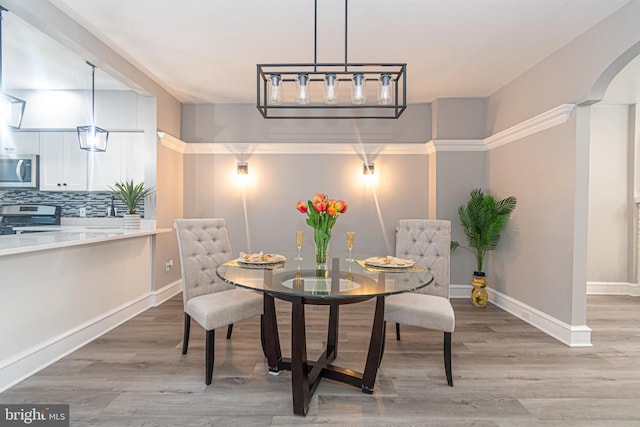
<point>204,244</point>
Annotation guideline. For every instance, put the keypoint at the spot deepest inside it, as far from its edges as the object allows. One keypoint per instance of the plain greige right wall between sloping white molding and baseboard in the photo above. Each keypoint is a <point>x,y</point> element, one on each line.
<point>534,260</point>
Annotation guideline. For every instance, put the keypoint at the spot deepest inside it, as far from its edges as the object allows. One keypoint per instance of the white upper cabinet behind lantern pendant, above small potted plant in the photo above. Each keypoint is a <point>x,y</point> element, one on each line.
<point>124,160</point>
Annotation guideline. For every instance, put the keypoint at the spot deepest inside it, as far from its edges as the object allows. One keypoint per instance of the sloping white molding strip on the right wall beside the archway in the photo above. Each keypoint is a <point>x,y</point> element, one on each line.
<point>546,120</point>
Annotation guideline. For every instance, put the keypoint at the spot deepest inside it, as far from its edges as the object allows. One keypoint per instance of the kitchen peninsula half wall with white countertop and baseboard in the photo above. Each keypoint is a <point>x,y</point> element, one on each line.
<point>69,285</point>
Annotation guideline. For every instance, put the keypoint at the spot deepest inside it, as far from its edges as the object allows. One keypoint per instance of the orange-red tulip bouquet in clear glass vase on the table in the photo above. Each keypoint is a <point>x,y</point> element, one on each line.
<point>322,214</point>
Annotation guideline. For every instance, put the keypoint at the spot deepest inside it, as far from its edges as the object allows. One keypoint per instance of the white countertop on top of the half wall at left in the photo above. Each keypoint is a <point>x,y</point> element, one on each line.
<point>71,235</point>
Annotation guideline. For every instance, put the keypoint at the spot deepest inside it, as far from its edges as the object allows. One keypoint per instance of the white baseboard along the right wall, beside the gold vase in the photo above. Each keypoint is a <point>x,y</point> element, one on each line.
<point>573,336</point>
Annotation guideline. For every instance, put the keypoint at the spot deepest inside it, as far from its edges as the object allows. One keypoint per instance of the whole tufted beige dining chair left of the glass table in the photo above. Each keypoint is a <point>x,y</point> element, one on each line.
<point>204,244</point>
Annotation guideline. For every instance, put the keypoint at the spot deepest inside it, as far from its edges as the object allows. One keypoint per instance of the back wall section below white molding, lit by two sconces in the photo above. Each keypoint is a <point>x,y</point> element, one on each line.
<point>278,181</point>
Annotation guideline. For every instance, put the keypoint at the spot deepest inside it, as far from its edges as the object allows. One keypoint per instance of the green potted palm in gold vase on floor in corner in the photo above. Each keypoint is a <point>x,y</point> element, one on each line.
<point>483,218</point>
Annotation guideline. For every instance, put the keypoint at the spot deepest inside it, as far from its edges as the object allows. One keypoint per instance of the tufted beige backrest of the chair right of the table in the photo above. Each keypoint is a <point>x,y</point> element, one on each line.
<point>427,242</point>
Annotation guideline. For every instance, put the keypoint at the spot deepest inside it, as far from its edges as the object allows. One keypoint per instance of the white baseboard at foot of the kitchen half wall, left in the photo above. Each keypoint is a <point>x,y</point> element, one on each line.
<point>26,363</point>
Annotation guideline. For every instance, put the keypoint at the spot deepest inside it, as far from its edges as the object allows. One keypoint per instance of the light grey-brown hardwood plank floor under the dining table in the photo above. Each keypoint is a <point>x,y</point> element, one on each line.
<point>506,373</point>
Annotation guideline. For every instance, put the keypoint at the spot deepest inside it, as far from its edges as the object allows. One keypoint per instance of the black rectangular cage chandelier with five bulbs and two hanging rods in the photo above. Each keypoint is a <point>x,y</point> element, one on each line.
<point>331,90</point>
